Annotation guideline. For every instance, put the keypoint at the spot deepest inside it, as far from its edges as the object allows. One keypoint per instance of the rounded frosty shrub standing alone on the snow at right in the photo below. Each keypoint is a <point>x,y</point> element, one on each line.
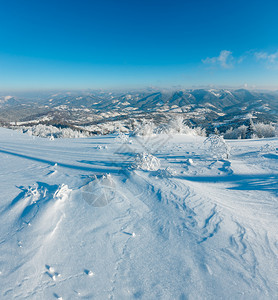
<point>217,147</point>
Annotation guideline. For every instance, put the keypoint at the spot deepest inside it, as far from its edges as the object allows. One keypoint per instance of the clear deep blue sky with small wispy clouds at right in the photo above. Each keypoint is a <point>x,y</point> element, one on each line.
<point>131,43</point>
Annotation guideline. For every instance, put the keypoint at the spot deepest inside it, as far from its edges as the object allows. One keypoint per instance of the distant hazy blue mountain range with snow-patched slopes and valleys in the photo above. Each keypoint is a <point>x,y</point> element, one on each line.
<point>210,108</point>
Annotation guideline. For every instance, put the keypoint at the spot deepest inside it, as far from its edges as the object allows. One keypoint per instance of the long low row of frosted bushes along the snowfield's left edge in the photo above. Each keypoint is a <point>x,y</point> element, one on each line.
<point>49,131</point>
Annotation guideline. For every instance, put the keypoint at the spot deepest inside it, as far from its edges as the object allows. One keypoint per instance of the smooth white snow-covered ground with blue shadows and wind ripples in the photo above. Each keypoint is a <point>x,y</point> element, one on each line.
<point>89,218</point>
